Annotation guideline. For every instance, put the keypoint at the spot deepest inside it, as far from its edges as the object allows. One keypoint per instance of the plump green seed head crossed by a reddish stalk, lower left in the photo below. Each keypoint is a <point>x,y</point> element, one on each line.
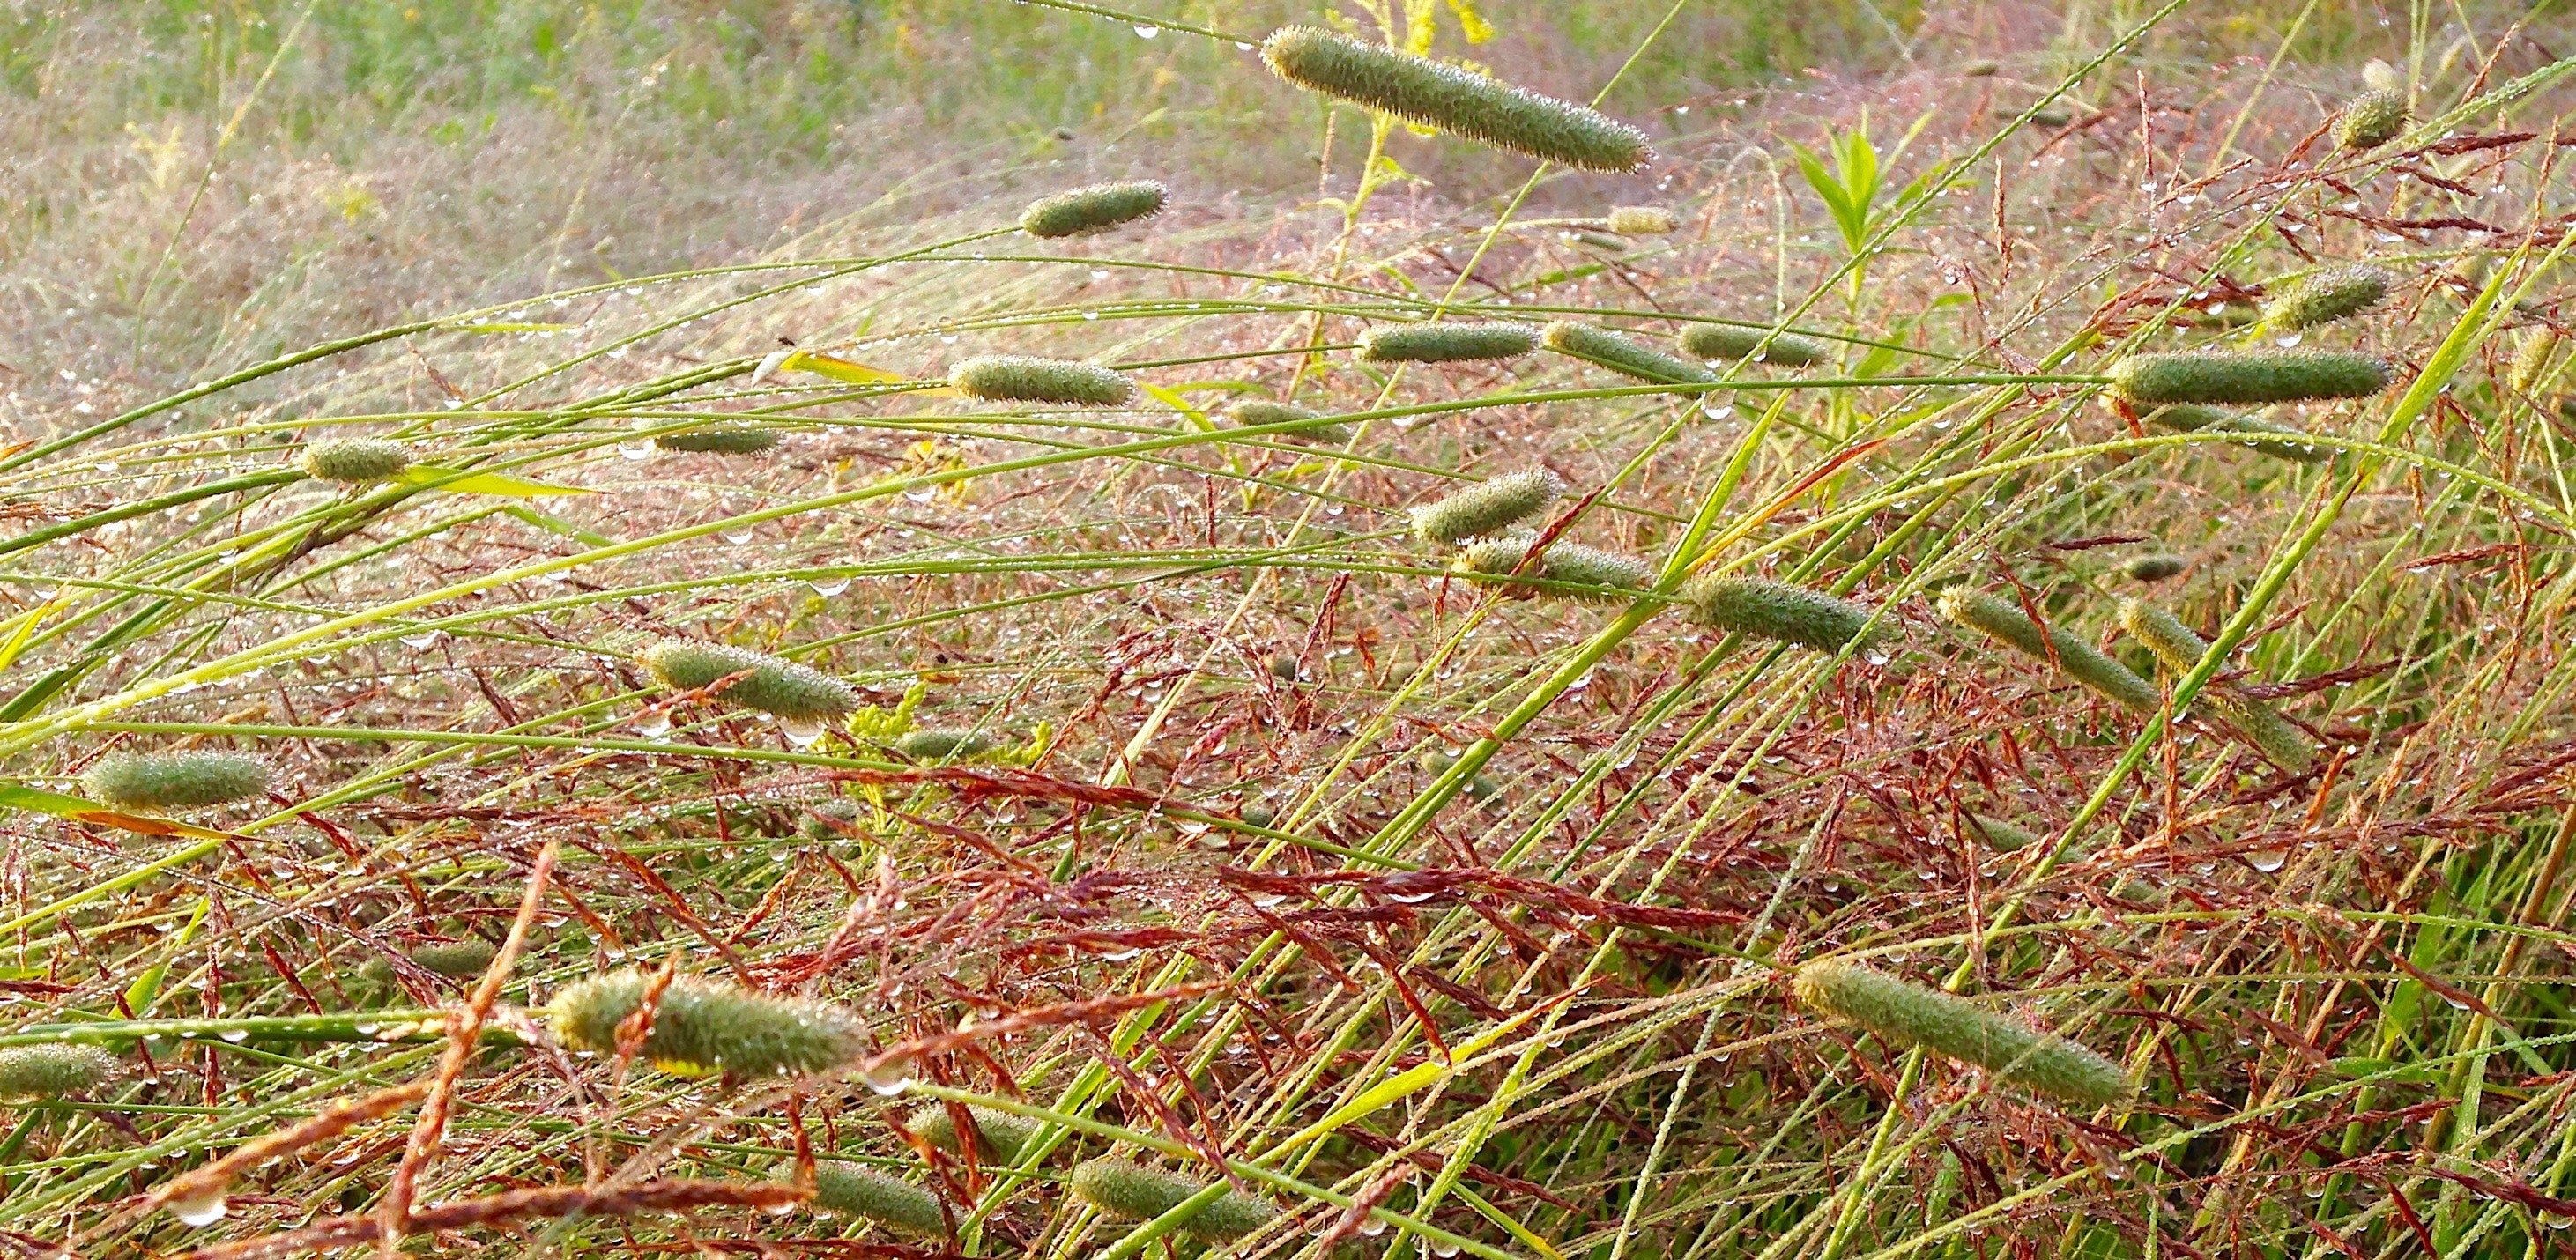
<point>707,1027</point>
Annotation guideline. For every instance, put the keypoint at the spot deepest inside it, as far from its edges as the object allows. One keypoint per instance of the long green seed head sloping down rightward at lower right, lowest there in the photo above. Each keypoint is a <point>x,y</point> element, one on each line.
<point>1946,1024</point>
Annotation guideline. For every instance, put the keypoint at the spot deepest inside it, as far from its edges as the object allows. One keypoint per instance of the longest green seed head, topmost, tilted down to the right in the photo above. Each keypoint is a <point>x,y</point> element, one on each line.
<point>1457,102</point>
